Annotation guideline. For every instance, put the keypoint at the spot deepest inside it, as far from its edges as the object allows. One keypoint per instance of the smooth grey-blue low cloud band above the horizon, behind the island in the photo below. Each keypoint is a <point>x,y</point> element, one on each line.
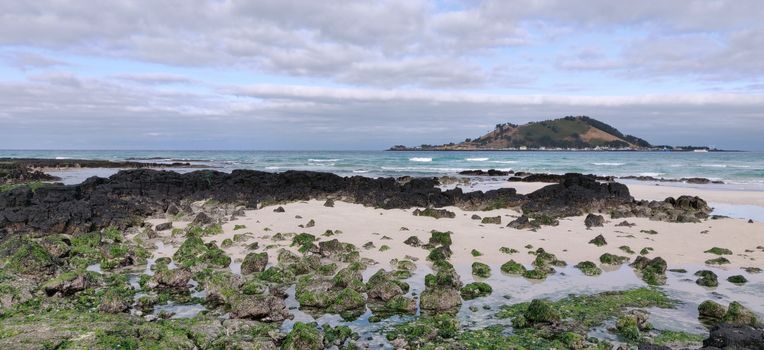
<point>52,112</point>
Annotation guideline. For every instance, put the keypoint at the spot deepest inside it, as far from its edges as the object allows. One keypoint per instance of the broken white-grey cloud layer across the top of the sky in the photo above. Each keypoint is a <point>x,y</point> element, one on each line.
<point>394,43</point>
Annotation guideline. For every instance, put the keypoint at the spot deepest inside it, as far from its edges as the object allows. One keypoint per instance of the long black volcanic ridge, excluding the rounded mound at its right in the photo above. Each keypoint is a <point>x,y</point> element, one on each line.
<point>127,197</point>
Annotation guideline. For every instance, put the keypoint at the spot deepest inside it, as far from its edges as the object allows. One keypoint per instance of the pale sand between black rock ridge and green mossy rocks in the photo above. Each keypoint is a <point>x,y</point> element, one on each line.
<point>680,244</point>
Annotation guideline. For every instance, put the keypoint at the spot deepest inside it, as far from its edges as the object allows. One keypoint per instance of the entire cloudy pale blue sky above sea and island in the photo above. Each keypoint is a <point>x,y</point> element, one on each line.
<point>334,75</point>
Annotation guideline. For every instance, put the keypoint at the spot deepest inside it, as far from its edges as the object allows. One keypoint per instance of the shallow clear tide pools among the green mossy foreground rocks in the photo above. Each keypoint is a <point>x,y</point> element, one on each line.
<point>509,289</point>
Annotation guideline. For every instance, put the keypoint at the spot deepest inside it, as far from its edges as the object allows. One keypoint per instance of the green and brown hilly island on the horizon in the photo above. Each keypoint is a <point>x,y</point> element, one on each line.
<point>567,133</point>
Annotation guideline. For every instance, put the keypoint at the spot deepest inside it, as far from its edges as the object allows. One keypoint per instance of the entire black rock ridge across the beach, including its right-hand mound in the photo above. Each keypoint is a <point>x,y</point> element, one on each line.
<point>129,196</point>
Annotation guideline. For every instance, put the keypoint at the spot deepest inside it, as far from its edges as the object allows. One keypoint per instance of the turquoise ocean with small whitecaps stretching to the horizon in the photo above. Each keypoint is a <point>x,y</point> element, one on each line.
<point>739,170</point>
